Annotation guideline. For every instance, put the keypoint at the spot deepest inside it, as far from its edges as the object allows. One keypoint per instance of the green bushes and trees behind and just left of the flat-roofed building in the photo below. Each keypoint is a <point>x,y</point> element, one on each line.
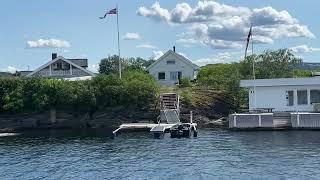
<point>270,64</point>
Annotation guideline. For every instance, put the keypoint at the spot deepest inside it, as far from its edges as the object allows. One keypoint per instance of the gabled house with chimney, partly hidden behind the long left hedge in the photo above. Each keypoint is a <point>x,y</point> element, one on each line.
<point>60,67</point>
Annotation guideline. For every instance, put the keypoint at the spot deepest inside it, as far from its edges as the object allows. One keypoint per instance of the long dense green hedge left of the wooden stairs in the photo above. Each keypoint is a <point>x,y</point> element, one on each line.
<point>135,89</point>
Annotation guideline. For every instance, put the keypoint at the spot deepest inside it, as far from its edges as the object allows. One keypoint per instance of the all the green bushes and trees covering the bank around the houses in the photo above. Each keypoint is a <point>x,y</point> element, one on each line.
<point>216,92</point>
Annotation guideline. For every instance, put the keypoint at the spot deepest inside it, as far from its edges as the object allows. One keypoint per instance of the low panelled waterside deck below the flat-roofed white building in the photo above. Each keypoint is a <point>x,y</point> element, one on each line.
<point>274,121</point>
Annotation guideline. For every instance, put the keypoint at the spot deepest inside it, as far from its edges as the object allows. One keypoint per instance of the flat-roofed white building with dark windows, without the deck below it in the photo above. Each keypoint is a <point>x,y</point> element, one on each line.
<point>286,94</point>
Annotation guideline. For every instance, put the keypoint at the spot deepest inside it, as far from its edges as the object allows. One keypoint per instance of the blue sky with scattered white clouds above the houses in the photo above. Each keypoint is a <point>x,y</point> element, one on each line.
<point>205,31</point>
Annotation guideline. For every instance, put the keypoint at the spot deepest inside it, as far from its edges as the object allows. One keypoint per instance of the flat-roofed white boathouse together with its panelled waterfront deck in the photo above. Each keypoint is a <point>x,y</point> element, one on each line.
<point>280,103</point>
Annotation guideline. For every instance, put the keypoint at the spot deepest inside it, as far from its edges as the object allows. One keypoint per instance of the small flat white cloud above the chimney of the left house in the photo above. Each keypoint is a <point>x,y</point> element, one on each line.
<point>48,43</point>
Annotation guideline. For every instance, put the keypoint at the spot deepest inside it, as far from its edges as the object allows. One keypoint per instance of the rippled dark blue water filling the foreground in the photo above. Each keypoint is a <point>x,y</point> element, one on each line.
<point>215,154</point>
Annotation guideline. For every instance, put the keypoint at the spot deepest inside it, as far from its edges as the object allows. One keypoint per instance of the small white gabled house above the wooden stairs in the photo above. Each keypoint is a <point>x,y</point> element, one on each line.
<point>171,67</point>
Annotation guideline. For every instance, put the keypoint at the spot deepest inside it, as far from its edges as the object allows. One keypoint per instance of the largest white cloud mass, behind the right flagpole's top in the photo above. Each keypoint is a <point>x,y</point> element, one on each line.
<point>222,26</point>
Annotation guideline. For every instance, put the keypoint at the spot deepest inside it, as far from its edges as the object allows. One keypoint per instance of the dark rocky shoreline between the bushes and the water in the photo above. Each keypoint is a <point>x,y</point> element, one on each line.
<point>68,120</point>
